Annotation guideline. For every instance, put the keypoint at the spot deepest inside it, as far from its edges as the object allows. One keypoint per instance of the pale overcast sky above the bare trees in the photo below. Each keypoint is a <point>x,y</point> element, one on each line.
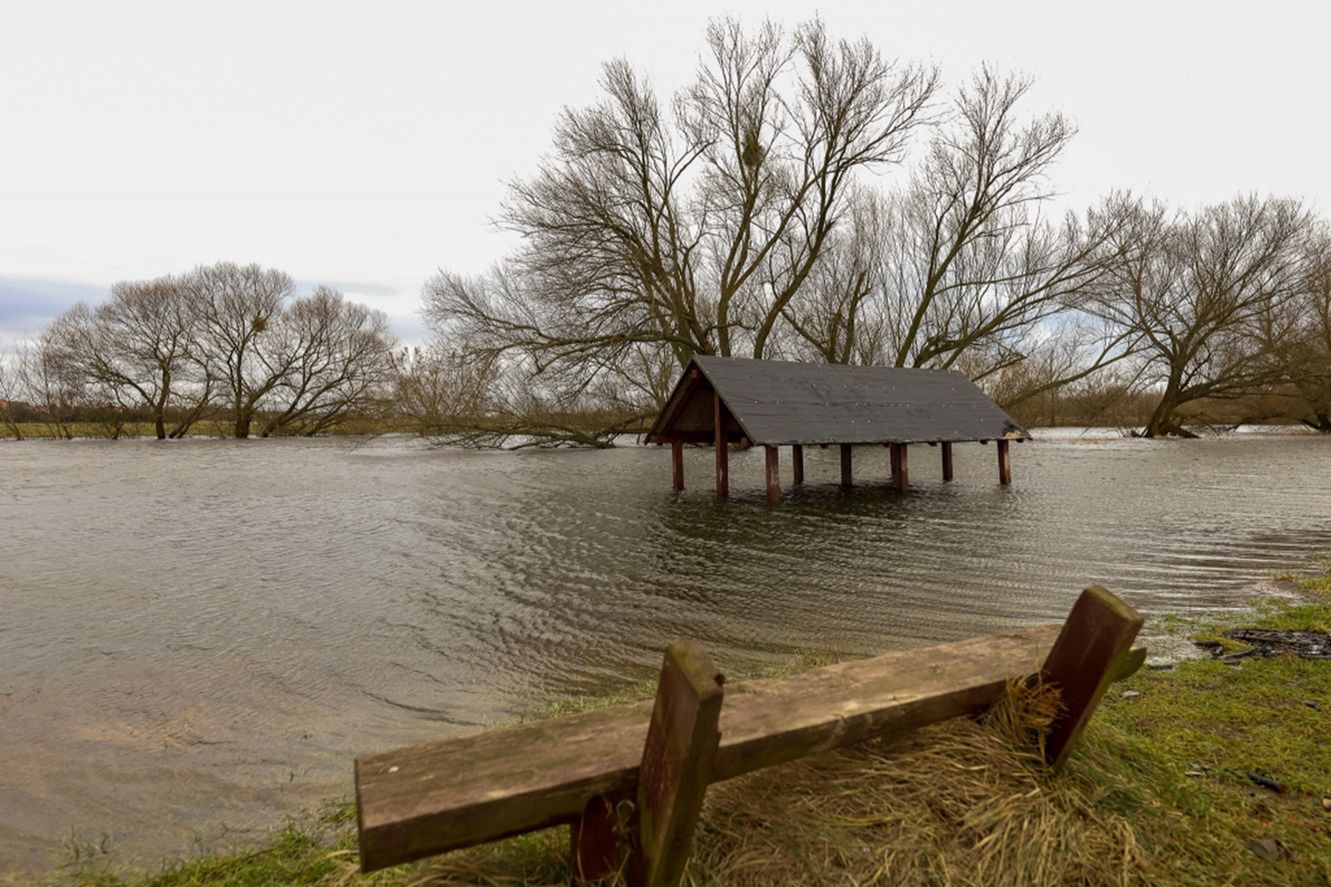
<point>368,145</point>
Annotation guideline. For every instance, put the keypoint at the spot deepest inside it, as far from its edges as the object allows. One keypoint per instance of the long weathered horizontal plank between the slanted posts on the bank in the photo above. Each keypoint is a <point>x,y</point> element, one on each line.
<point>443,796</point>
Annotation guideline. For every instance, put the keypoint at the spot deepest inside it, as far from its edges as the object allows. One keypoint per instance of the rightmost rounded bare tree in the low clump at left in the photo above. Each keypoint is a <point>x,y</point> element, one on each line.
<point>339,359</point>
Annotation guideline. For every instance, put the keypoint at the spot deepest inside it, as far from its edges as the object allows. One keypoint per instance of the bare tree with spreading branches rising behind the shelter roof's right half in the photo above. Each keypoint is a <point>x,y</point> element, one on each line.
<point>960,270</point>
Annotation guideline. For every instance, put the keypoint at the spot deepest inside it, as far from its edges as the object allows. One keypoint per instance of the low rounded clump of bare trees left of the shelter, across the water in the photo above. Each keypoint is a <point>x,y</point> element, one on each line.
<point>226,343</point>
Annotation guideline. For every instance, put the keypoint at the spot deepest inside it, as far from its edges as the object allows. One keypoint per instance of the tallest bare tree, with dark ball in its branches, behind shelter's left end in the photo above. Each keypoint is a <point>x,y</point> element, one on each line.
<point>656,234</point>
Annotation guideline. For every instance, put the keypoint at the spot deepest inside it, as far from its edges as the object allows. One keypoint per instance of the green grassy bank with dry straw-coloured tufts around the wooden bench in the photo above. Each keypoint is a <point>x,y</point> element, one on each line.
<point>1159,792</point>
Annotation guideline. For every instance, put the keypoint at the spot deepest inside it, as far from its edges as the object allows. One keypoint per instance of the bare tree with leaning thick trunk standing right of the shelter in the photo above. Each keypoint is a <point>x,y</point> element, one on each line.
<point>1199,291</point>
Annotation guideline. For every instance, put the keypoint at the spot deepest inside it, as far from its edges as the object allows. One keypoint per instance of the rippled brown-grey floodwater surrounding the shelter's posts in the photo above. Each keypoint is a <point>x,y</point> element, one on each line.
<point>198,637</point>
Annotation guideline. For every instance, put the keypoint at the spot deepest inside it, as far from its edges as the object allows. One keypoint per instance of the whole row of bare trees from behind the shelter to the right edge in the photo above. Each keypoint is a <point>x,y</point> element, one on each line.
<point>807,199</point>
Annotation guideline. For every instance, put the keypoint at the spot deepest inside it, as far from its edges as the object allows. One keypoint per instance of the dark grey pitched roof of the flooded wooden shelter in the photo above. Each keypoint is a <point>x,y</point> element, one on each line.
<point>782,403</point>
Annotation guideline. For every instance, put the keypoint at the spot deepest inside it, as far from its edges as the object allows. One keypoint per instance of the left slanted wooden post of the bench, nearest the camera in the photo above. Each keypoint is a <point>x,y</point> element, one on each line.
<point>677,764</point>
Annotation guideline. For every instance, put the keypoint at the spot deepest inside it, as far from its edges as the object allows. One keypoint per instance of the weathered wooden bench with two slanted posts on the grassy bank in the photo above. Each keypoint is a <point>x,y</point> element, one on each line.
<point>632,780</point>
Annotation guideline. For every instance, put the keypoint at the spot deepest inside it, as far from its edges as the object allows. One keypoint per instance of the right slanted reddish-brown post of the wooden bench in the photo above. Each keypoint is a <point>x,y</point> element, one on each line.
<point>1089,655</point>
